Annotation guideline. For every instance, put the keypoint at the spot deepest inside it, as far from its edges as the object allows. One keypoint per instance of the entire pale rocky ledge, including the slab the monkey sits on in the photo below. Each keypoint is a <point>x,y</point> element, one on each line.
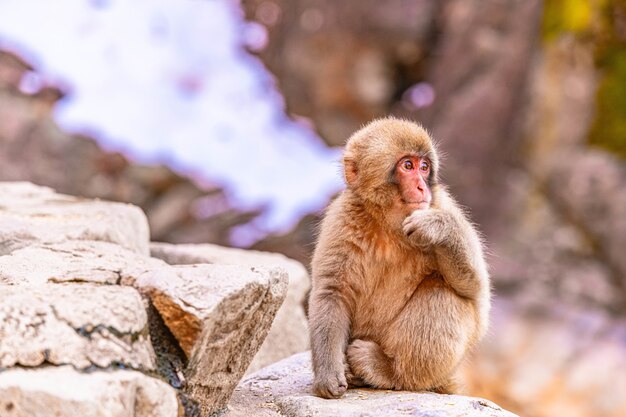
<point>97,321</point>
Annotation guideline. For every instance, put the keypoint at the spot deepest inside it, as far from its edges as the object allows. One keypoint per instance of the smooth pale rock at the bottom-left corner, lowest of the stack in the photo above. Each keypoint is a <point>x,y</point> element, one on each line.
<point>64,392</point>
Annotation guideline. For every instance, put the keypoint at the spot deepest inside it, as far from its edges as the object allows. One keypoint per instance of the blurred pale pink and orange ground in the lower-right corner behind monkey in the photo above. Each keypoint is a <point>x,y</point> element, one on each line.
<point>558,361</point>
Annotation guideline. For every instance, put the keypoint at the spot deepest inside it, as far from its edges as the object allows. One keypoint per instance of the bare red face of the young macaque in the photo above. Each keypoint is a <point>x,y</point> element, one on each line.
<point>412,174</point>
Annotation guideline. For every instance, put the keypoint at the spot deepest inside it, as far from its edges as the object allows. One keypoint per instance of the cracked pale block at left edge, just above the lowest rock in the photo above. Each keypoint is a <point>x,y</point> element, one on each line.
<point>79,324</point>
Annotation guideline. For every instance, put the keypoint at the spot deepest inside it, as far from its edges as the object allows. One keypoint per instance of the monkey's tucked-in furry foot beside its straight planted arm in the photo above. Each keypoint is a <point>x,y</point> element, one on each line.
<point>370,365</point>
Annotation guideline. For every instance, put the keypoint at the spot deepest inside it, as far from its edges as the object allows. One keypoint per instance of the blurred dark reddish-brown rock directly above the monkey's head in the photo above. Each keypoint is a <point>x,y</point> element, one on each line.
<point>343,63</point>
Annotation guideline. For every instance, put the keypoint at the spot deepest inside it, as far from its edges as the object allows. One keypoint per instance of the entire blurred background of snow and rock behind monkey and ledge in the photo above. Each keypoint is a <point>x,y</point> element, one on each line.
<point>224,121</point>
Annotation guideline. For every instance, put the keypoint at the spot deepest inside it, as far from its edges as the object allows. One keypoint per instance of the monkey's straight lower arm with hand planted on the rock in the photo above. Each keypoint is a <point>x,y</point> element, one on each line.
<point>329,326</point>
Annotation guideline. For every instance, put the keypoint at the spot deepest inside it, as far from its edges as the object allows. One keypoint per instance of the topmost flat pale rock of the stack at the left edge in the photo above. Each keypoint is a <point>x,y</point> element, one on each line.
<point>30,214</point>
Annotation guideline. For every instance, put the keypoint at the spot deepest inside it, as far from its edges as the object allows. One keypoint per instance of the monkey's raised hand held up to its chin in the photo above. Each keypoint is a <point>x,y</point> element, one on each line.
<point>428,229</point>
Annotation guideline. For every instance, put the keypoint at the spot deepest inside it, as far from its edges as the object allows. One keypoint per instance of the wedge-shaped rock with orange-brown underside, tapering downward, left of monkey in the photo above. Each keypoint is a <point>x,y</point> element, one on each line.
<point>220,315</point>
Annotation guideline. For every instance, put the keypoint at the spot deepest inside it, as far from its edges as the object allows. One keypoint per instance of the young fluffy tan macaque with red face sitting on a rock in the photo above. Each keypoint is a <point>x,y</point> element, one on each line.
<point>400,287</point>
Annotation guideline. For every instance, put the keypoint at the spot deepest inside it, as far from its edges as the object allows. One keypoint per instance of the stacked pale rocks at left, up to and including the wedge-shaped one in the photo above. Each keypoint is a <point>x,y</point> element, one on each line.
<point>91,325</point>
